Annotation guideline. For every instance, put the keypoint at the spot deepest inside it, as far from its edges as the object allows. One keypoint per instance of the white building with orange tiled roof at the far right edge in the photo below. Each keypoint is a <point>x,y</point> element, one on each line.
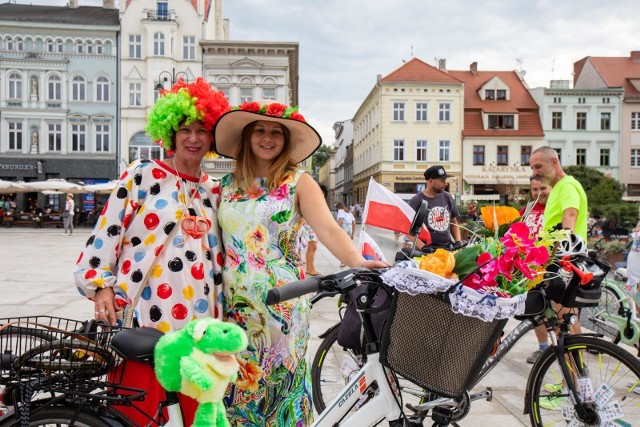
<point>600,73</point>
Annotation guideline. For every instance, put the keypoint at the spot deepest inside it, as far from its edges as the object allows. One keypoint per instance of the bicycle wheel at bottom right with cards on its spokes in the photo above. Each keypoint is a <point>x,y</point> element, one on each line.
<point>607,376</point>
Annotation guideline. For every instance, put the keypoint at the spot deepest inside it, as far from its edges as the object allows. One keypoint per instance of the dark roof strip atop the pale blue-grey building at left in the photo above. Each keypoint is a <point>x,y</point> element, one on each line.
<point>82,15</point>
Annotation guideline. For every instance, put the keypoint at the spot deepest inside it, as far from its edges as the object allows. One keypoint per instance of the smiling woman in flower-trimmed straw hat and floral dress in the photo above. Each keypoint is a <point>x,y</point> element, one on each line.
<point>261,205</point>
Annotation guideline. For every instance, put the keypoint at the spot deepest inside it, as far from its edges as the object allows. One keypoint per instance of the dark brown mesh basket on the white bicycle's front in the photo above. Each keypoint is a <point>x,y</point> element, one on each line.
<point>430,345</point>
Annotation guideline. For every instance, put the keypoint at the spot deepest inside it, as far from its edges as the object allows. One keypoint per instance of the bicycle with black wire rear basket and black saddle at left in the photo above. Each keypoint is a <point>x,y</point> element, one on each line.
<point>54,371</point>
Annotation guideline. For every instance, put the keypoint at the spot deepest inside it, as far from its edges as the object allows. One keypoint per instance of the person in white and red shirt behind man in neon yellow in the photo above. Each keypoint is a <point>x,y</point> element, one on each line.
<point>534,220</point>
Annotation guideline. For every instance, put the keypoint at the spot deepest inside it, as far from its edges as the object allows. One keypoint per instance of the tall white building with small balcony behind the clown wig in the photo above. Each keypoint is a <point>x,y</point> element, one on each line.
<point>160,44</point>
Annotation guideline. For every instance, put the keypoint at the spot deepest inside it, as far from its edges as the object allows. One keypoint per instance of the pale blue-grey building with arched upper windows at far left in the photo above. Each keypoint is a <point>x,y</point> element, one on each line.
<point>58,94</point>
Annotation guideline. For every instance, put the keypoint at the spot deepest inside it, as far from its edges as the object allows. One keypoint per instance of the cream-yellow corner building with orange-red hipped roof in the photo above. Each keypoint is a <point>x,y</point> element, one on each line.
<point>412,119</point>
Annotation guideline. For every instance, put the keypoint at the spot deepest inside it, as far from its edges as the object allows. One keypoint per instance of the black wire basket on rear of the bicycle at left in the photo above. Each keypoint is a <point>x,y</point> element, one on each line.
<point>44,346</point>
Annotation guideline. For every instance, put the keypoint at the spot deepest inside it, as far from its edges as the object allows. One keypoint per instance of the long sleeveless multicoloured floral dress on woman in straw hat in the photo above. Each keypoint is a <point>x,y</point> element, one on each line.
<point>259,233</point>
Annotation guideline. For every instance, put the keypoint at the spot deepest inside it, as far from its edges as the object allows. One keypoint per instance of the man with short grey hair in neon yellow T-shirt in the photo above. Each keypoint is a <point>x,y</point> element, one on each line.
<point>567,204</point>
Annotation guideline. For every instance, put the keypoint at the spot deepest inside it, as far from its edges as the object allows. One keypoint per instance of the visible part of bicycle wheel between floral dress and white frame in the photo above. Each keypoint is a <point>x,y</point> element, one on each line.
<point>332,368</point>
